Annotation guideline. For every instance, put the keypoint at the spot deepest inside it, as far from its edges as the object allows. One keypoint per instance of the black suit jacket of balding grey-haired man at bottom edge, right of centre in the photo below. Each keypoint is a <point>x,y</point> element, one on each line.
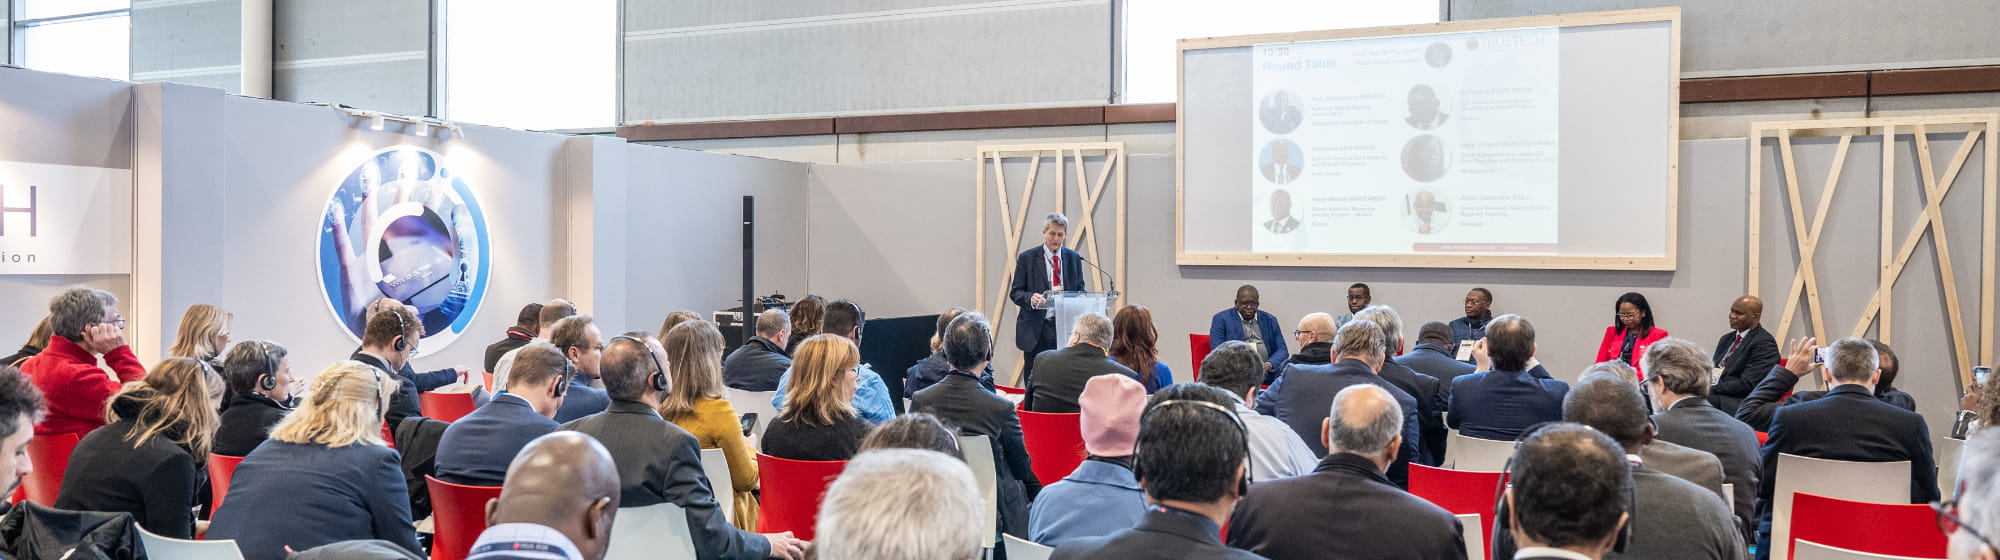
<point>1345,509</point>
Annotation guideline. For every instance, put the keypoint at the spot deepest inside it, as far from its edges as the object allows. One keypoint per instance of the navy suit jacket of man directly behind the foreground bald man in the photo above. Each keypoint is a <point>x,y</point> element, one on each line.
<point>479,449</point>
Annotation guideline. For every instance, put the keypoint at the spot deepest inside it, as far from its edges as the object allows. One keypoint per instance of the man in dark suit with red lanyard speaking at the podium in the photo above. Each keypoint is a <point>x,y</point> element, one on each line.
<point>1035,273</point>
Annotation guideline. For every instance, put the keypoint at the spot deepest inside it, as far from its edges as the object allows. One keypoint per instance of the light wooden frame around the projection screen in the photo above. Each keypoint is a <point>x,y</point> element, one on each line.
<point>1443,261</point>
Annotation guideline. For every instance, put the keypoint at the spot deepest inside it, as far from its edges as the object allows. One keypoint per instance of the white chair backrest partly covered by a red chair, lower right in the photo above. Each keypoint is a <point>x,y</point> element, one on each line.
<point>1883,483</point>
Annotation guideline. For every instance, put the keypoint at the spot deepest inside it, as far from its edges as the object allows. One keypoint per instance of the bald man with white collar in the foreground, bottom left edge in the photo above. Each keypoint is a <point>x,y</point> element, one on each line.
<point>559,503</point>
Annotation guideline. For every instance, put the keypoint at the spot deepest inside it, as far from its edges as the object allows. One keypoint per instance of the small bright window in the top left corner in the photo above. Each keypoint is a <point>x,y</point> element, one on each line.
<point>75,37</point>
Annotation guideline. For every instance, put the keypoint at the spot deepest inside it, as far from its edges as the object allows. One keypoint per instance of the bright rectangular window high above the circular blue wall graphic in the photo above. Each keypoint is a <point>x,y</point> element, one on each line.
<point>529,65</point>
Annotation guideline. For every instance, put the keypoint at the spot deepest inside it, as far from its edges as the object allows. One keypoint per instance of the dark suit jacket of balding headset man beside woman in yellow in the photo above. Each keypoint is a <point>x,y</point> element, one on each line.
<point>661,463</point>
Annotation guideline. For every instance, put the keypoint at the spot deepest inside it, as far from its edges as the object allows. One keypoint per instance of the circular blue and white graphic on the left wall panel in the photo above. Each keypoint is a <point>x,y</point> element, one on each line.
<point>403,227</point>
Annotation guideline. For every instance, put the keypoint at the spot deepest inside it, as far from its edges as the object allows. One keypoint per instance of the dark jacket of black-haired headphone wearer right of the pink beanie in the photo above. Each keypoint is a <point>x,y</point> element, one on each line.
<point>1159,537</point>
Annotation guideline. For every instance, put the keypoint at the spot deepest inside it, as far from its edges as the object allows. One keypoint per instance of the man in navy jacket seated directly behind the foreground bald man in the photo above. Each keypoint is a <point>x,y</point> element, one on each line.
<point>477,449</point>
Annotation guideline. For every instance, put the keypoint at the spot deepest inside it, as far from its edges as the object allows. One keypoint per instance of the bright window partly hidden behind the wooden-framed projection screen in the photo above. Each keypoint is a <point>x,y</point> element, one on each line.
<point>1153,29</point>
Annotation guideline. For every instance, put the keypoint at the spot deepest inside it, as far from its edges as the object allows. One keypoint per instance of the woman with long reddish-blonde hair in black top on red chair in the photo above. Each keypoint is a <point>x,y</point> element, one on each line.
<point>819,419</point>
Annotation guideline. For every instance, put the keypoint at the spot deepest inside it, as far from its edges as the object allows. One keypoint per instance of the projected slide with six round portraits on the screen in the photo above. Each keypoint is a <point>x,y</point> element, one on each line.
<point>1407,145</point>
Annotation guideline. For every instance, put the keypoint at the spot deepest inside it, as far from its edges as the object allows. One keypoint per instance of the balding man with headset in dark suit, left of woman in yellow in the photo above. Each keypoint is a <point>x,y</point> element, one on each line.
<point>661,463</point>
